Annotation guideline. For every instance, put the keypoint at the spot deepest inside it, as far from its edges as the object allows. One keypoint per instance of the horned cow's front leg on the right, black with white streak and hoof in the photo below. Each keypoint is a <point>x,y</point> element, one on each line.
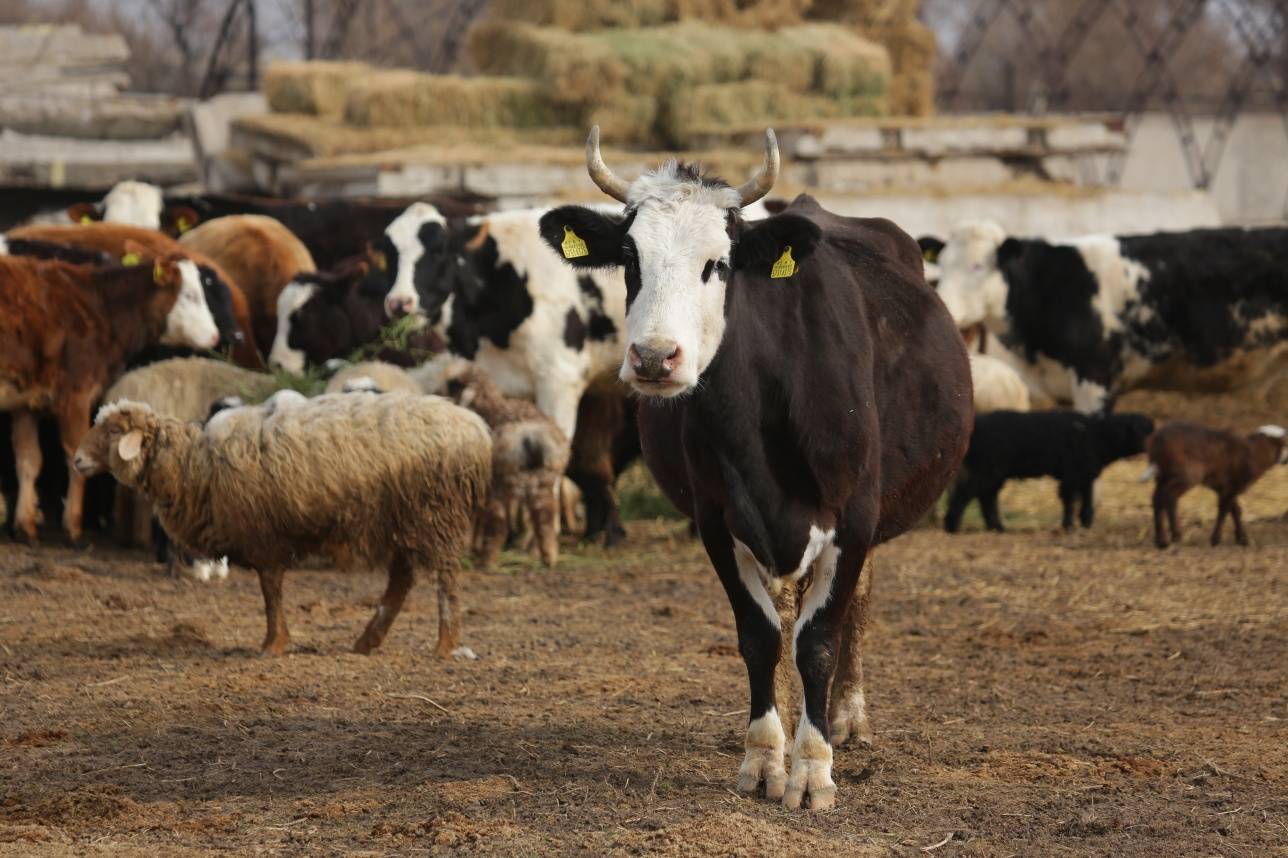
<point>817,637</point>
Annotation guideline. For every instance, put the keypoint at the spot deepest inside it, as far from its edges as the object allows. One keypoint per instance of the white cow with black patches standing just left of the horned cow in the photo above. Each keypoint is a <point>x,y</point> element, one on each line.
<point>502,298</point>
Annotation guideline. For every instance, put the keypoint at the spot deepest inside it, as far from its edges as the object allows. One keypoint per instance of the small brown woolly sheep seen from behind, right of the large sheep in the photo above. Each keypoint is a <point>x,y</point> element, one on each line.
<point>530,455</point>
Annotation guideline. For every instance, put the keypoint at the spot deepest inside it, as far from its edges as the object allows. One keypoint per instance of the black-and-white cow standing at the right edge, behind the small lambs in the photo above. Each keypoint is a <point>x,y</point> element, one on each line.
<point>1092,318</point>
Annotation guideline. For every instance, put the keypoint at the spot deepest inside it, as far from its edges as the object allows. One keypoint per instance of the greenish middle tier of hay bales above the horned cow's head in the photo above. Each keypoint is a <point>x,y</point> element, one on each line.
<point>669,84</point>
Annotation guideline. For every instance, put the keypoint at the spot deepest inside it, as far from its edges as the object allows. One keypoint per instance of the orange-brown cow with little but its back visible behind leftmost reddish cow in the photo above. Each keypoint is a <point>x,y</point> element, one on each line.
<point>222,293</point>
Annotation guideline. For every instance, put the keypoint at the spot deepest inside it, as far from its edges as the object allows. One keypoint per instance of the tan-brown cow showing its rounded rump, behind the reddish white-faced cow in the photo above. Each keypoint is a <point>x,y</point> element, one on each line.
<point>262,256</point>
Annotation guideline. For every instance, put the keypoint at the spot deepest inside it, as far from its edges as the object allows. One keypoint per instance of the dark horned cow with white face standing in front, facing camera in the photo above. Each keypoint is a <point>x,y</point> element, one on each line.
<point>806,397</point>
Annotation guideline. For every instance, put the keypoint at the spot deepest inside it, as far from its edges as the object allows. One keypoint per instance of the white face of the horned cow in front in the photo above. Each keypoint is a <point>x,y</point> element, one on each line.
<point>677,260</point>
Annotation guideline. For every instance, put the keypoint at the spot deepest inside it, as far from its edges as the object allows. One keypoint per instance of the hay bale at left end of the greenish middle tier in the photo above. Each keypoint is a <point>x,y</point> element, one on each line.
<point>575,71</point>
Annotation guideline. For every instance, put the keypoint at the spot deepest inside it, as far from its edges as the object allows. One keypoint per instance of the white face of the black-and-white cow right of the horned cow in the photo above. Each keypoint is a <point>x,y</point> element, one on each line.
<point>971,283</point>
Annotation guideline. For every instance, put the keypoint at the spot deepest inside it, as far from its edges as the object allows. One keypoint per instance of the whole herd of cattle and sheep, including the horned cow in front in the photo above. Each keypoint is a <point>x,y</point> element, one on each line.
<point>791,379</point>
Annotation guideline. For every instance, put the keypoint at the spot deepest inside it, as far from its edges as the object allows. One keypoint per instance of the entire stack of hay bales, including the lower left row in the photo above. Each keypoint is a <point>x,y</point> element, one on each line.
<point>650,73</point>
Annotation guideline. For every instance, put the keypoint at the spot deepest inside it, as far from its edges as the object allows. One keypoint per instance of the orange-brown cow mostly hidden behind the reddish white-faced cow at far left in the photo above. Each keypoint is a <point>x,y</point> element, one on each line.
<point>111,238</point>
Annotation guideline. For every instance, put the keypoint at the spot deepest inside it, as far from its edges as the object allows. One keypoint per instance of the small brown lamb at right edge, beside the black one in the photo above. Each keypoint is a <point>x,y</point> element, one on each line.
<point>1183,455</point>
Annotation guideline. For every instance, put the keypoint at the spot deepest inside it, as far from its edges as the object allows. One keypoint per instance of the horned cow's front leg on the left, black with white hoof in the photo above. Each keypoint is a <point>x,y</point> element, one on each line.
<point>759,637</point>
